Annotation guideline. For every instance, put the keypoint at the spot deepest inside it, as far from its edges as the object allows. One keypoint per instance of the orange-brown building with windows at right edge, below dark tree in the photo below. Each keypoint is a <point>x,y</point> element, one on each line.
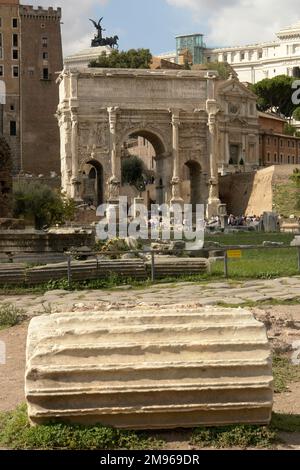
<point>276,147</point>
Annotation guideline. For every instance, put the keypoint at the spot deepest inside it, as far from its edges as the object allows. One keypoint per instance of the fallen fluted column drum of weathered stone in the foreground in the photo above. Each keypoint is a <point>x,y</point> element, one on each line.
<point>149,368</point>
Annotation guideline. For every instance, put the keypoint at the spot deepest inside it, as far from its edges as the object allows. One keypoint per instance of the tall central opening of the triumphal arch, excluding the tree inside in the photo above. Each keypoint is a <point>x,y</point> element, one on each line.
<point>150,148</point>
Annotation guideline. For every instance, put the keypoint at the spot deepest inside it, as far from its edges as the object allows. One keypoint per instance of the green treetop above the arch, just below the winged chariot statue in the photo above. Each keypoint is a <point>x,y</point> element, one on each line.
<point>132,59</point>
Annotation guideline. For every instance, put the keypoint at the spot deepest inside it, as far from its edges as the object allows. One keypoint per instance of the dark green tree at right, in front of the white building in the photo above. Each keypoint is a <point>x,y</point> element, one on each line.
<point>275,94</point>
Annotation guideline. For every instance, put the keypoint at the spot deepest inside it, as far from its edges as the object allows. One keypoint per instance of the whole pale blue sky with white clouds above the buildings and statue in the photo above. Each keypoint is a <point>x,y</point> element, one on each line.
<point>154,24</point>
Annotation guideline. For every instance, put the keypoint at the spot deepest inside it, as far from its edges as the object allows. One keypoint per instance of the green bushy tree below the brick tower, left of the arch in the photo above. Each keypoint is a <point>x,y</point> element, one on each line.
<point>42,204</point>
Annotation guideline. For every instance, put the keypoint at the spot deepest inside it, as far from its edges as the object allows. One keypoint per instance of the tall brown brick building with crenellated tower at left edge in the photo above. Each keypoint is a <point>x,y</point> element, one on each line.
<point>30,56</point>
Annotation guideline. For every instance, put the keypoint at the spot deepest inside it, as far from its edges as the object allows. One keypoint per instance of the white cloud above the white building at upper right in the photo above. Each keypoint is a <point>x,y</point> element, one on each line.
<point>233,22</point>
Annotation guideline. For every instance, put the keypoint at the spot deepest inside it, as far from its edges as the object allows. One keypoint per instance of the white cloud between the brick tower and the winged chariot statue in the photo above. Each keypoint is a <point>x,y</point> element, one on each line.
<point>77,31</point>
